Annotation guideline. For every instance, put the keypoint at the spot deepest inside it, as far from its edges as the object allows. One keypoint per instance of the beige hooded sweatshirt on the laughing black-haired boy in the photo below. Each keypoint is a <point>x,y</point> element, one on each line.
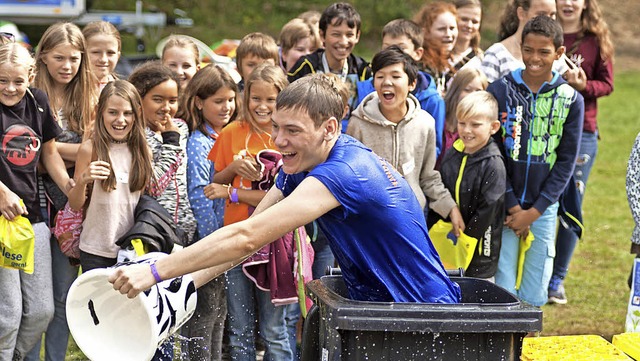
<point>409,146</point>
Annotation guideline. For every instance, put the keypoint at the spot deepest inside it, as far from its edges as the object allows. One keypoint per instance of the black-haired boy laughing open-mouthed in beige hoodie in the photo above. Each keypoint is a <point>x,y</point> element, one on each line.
<point>391,123</point>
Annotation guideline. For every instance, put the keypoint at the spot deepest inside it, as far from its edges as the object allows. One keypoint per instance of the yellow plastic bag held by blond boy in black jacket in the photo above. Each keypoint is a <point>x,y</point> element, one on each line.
<point>455,252</point>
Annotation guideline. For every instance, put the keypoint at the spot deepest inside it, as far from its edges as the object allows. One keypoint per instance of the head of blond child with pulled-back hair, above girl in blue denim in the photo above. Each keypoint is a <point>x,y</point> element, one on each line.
<point>182,56</point>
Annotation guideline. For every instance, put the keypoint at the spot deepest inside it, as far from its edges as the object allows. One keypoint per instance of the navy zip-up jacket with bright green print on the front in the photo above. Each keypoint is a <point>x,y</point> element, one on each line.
<point>540,138</point>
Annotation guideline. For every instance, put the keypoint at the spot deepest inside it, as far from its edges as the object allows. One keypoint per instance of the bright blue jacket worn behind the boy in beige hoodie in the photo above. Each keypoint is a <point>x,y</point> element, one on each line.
<point>428,96</point>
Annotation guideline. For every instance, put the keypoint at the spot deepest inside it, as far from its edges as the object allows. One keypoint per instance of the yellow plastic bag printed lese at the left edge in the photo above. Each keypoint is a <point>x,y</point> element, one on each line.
<point>17,242</point>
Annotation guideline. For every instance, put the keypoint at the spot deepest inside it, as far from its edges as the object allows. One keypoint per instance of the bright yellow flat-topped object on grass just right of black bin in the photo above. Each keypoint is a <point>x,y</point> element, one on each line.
<point>570,348</point>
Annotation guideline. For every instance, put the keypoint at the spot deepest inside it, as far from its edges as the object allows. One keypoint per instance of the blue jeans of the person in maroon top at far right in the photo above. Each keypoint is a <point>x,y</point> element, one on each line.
<point>567,240</point>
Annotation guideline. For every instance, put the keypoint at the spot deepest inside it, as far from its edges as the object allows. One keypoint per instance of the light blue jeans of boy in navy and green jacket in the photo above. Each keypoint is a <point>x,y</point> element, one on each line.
<point>538,263</point>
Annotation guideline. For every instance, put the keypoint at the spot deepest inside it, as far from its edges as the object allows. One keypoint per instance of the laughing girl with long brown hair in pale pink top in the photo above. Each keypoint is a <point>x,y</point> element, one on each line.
<point>106,161</point>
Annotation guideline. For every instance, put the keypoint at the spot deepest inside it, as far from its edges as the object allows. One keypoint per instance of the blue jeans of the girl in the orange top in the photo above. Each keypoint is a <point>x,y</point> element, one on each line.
<point>242,298</point>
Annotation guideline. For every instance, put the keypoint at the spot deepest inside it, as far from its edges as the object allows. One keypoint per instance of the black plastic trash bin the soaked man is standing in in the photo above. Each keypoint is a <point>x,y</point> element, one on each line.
<point>489,324</point>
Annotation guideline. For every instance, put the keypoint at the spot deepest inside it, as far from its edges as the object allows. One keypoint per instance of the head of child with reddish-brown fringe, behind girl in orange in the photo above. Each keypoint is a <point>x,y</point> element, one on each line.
<point>253,50</point>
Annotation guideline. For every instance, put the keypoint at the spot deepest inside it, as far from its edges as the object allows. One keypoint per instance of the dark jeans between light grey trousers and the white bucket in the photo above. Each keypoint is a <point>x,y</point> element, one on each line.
<point>57,334</point>
